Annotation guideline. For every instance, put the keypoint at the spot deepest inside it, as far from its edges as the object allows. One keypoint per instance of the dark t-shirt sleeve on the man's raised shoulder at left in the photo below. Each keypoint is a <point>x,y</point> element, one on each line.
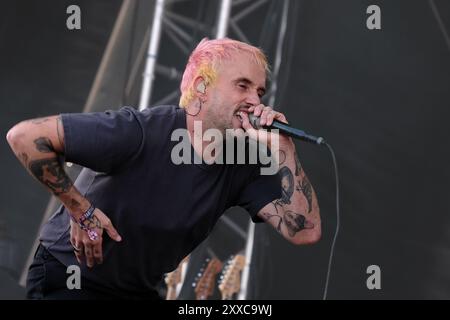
<point>102,141</point>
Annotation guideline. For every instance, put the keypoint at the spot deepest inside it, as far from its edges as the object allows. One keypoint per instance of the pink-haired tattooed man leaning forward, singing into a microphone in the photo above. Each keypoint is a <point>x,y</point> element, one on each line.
<point>133,214</point>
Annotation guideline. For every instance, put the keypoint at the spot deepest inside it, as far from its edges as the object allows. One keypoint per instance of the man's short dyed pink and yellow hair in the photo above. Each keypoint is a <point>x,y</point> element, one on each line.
<point>206,58</point>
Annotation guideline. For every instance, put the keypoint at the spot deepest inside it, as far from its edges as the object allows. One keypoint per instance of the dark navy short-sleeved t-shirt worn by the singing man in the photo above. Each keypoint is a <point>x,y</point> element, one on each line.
<point>161,210</point>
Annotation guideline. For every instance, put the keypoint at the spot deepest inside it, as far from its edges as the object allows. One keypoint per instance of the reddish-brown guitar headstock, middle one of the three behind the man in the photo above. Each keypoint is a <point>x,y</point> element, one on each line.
<point>205,281</point>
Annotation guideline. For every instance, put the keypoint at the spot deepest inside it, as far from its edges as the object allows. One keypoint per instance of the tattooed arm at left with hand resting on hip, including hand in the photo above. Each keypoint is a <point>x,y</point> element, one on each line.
<point>39,145</point>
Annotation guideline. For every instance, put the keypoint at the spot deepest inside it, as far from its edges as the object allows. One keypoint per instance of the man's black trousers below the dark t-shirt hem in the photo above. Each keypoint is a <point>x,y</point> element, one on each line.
<point>47,279</point>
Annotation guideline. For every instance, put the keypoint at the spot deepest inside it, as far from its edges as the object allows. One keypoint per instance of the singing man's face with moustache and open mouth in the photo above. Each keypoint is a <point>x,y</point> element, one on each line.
<point>240,84</point>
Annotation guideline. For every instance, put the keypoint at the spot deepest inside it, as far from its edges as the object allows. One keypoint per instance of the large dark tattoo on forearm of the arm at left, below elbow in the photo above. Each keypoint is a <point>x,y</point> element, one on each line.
<point>51,173</point>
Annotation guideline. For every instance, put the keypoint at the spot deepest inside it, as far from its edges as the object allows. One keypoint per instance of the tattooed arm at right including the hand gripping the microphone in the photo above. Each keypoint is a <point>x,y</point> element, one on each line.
<point>296,214</point>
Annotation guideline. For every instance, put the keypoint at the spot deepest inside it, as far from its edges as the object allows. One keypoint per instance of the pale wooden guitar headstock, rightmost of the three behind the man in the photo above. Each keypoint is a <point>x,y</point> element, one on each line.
<point>230,280</point>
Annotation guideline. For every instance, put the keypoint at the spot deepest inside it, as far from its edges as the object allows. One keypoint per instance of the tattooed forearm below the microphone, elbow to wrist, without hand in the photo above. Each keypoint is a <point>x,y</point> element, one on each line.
<point>296,214</point>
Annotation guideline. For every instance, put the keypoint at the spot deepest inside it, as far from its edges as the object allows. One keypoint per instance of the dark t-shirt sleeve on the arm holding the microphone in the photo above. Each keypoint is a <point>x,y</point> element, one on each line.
<point>261,190</point>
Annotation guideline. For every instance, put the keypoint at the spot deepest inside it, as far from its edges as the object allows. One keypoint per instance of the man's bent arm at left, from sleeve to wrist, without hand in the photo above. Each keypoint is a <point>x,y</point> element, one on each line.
<point>39,146</point>
